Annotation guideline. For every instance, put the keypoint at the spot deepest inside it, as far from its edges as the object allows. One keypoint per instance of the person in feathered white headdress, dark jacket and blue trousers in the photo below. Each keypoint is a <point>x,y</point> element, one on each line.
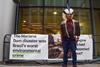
<point>70,32</point>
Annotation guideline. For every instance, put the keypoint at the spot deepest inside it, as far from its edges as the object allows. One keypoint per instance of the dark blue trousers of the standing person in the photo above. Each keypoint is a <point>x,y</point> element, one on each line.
<point>69,44</point>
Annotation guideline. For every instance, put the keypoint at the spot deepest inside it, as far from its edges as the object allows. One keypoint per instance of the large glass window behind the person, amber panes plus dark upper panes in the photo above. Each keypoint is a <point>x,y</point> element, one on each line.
<point>33,20</point>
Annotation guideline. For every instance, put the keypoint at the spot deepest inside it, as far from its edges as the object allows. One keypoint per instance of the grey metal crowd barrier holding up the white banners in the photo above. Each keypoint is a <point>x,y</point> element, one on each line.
<point>6,48</point>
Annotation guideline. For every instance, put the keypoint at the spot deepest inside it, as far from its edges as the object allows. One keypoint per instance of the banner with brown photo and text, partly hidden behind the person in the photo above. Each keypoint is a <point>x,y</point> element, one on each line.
<point>84,48</point>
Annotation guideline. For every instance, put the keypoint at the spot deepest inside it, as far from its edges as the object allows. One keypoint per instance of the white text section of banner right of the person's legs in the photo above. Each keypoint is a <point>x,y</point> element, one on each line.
<point>85,48</point>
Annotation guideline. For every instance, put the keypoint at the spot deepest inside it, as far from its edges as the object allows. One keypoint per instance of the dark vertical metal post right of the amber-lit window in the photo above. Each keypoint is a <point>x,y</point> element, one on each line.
<point>93,25</point>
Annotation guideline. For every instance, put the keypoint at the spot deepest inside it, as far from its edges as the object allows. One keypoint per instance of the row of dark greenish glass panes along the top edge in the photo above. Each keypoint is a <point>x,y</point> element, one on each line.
<point>73,3</point>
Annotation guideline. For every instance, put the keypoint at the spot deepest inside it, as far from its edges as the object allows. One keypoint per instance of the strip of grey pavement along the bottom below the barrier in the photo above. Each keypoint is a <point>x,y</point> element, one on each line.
<point>55,65</point>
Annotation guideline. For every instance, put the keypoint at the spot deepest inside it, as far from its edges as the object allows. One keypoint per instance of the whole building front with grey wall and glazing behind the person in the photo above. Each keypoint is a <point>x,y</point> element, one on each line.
<point>45,16</point>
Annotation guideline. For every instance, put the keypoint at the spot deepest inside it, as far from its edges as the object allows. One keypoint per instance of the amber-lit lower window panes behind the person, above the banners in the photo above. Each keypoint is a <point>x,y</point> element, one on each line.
<point>31,20</point>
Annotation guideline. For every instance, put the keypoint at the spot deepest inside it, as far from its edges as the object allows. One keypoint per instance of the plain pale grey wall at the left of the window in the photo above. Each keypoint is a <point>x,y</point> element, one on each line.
<point>7,20</point>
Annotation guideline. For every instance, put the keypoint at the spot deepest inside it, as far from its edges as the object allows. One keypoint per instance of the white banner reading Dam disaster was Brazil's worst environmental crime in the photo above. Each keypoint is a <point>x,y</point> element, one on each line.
<point>28,47</point>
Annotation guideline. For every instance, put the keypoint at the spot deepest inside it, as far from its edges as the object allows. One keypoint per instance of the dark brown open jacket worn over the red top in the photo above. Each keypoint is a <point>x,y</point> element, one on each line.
<point>76,31</point>
